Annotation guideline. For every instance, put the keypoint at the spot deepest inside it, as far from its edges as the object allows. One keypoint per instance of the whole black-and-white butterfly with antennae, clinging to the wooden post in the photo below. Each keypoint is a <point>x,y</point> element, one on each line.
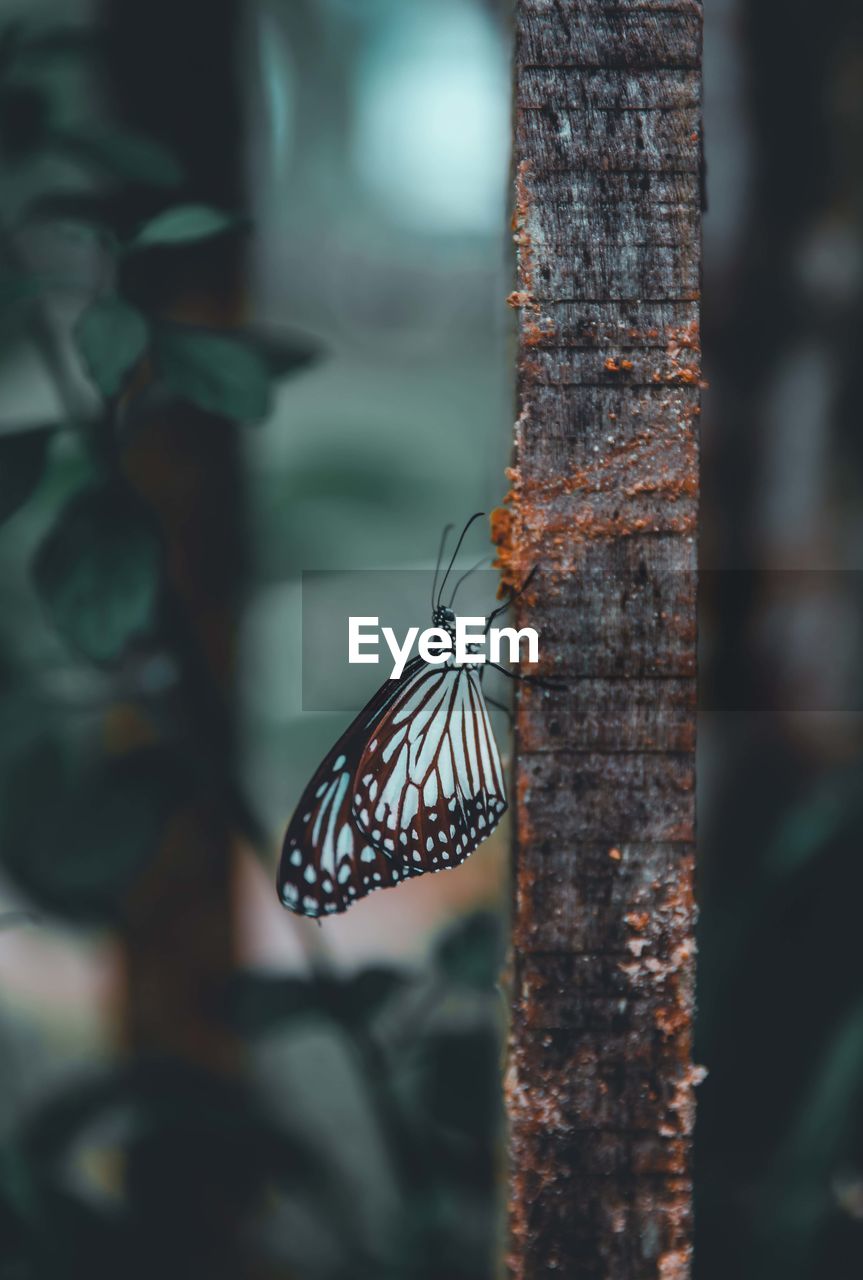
<point>414,785</point>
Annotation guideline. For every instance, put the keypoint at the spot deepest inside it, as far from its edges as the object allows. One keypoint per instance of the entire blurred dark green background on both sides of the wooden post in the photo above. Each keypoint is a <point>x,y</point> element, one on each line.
<point>253,268</point>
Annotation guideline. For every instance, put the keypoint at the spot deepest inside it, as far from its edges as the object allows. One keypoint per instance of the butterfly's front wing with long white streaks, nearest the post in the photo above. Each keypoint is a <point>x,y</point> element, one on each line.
<point>430,785</point>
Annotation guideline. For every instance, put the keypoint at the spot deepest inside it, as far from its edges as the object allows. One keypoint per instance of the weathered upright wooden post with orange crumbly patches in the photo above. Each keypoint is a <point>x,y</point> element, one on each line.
<point>605,488</point>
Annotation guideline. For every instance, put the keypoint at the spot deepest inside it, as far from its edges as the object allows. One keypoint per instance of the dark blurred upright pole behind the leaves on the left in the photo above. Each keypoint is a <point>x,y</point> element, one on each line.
<point>175,77</point>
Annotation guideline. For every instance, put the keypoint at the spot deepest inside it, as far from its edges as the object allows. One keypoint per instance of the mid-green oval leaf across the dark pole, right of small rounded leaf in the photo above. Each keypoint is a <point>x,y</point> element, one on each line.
<point>220,374</point>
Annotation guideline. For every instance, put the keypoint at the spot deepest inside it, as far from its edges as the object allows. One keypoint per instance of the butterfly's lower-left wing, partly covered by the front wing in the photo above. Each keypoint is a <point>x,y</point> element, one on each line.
<point>328,862</point>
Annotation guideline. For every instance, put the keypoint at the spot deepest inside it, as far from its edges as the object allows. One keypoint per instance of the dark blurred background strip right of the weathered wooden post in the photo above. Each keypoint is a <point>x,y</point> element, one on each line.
<point>780,1135</point>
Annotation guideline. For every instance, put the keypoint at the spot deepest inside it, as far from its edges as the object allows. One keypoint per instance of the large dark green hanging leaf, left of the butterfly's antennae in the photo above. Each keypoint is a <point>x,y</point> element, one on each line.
<point>98,574</point>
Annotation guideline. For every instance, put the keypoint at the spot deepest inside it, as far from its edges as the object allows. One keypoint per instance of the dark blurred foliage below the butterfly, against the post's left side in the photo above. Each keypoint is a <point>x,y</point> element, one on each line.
<point>426,1054</point>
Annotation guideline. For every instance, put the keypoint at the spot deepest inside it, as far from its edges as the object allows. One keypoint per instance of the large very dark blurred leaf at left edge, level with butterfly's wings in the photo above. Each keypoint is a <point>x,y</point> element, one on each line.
<point>75,835</point>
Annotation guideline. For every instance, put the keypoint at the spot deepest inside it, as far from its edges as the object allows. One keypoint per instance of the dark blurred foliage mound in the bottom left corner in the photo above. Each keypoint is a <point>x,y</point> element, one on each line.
<point>180,1135</point>
